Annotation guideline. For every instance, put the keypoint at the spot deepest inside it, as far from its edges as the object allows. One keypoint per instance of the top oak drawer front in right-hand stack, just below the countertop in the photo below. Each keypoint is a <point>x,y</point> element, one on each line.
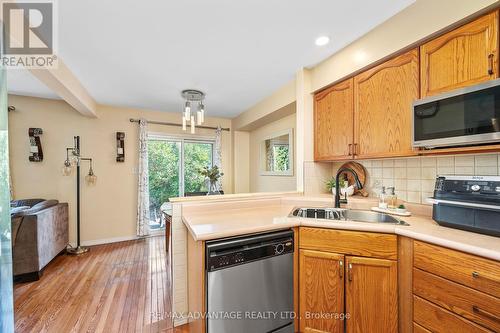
<point>472,271</point>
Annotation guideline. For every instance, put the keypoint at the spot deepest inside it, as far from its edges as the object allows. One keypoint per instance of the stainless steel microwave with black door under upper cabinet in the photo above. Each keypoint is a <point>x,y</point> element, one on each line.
<point>462,117</point>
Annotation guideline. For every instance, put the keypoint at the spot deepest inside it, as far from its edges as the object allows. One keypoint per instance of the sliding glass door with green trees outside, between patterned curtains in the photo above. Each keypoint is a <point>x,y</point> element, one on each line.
<point>174,171</point>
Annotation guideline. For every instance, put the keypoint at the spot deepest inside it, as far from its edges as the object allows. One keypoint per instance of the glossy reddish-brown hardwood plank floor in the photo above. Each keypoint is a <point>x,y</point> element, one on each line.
<point>119,287</point>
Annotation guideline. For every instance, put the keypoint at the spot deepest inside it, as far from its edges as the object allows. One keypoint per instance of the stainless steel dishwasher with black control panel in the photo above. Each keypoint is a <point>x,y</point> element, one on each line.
<point>250,284</point>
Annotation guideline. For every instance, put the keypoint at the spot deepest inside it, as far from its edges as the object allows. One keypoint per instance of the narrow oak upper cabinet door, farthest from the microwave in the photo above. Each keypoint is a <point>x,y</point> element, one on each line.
<point>333,122</point>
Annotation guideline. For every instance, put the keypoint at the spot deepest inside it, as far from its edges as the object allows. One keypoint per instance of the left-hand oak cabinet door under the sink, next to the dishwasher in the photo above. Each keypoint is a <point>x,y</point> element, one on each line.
<point>321,291</point>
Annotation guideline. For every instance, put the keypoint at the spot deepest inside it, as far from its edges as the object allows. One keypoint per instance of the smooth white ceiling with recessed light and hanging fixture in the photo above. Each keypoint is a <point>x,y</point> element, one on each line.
<point>143,53</point>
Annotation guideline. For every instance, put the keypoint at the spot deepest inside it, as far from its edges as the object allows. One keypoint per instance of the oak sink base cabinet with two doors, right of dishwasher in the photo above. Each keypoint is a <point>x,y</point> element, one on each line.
<point>345,284</point>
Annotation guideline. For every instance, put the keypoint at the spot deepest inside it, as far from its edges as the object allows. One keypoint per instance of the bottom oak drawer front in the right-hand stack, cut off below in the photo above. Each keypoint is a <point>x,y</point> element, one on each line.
<point>436,319</point>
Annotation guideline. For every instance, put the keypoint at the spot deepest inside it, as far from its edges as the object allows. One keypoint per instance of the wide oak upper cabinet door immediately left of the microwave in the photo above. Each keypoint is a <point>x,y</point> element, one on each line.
<point>383,99</point>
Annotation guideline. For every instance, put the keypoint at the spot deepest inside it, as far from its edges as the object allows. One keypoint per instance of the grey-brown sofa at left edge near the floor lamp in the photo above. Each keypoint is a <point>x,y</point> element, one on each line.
<point>39,234</point>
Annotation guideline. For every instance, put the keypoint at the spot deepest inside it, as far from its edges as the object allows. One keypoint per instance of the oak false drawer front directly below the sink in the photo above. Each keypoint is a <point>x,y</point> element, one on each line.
<point>365,244</point>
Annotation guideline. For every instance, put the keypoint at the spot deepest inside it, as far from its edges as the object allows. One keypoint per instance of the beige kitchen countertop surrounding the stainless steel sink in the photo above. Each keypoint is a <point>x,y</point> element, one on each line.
<point>225,220</point>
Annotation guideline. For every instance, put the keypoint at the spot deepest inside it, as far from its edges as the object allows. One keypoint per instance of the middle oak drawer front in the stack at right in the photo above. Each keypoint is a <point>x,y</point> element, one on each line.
<point>474,305</point>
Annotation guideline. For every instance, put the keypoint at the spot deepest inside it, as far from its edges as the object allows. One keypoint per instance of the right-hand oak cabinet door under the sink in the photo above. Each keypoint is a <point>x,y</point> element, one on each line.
<point>371,295</point>
